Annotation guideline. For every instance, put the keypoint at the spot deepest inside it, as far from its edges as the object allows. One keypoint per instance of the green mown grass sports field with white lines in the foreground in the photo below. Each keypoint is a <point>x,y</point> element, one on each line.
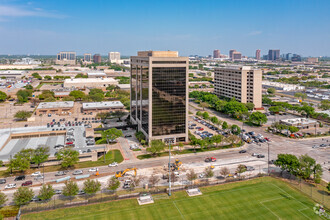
<point>263,198</point>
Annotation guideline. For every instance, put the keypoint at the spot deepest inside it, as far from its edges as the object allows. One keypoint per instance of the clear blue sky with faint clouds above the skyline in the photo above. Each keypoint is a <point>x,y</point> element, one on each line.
<point>46,27</point>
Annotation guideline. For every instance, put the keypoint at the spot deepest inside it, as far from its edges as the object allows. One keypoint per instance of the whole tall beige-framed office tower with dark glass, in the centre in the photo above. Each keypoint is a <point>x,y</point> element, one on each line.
<point>159,95</point>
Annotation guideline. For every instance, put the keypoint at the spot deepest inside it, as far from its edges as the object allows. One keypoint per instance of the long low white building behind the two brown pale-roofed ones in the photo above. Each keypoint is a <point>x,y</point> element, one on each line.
<point>82,83</point>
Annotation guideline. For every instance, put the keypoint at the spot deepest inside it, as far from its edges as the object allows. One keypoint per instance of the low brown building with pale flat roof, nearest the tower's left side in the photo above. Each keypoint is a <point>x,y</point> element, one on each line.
<point>102,107</point>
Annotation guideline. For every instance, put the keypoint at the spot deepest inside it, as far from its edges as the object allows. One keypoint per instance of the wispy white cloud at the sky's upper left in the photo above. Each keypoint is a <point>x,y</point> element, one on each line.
<point>15,11</point>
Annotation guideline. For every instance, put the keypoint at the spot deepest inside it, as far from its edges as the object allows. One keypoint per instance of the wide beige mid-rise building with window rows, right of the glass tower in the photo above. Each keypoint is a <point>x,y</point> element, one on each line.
<point>244,83</point>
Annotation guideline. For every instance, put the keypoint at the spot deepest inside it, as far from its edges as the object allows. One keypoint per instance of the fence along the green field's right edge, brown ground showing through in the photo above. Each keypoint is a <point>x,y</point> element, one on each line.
<point>315,191</point>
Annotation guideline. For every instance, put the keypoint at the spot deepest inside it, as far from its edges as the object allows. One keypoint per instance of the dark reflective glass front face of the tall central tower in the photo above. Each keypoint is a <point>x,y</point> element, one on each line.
<point>168,100</point>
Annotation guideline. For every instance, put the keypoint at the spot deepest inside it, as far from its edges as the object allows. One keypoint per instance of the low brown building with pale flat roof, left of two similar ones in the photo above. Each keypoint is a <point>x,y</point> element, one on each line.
<point>58,108</point>
